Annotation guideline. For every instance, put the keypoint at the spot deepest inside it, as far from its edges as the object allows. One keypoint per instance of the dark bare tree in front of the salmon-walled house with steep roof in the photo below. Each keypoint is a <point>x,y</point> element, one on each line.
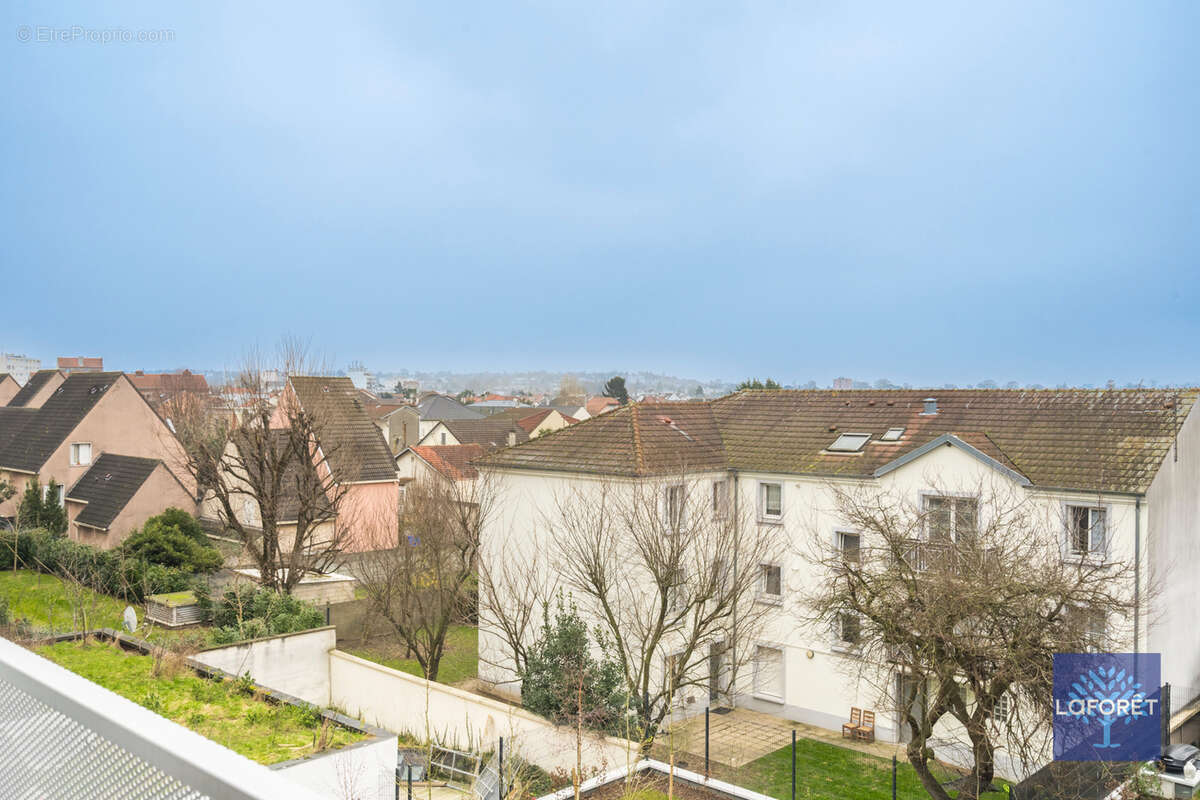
<point>269,473</point>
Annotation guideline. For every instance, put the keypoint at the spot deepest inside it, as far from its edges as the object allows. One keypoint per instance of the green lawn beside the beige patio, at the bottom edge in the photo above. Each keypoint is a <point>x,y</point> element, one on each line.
<point>826,772</point>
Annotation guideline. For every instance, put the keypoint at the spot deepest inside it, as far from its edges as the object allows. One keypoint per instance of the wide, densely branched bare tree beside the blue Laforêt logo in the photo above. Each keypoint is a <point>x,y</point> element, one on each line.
<point>953,609</point>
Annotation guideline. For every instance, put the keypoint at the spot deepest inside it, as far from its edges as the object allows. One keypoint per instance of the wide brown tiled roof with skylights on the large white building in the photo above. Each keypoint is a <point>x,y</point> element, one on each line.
<point>1082,440</point>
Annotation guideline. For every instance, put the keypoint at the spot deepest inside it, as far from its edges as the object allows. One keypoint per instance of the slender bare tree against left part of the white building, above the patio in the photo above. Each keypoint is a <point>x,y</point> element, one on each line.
<point>671,578</point>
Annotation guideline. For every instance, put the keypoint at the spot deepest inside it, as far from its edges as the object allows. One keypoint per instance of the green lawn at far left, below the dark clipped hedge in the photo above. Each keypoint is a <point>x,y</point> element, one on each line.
<point>53,606</point>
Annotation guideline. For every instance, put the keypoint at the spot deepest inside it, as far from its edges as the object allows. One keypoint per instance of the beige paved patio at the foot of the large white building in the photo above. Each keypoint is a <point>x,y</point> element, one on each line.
<point>742,736</point>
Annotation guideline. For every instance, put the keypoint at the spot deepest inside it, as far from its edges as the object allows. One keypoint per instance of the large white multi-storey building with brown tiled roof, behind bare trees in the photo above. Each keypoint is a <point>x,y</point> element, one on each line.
<point>1127,460</point>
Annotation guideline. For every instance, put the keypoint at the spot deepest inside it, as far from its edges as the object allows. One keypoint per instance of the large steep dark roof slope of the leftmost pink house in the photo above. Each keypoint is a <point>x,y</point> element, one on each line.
<point>45,430</point>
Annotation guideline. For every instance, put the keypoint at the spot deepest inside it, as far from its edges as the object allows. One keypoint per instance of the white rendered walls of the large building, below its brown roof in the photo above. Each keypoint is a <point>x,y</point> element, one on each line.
<point>818,682</point>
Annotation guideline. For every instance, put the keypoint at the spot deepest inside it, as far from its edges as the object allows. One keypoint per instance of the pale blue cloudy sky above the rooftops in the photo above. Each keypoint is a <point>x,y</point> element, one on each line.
<point>927,193</point>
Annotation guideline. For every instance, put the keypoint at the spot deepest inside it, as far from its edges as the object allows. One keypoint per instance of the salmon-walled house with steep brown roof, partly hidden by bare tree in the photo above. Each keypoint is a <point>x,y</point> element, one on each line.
<point>356,448</point>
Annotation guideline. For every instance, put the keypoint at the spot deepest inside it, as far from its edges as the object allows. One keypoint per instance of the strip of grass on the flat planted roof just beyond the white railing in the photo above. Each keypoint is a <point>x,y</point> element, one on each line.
<point>219,711</point>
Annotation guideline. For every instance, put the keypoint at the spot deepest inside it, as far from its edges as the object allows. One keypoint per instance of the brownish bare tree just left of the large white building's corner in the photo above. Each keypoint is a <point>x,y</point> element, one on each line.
<point>424,584</point>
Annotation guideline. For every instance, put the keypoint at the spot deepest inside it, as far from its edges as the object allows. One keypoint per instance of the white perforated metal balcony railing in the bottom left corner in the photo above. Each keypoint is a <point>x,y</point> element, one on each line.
<point>64,737</point>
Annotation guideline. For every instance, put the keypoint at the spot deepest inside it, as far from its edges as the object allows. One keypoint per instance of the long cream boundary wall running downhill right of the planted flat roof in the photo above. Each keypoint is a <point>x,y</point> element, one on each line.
<point>451,717</point>
